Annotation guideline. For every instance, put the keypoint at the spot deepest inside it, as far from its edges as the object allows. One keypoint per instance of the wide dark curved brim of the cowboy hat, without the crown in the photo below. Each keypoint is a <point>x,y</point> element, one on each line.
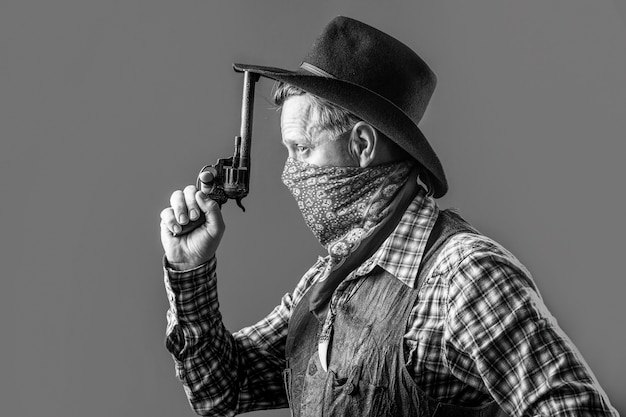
<point>370,107</point>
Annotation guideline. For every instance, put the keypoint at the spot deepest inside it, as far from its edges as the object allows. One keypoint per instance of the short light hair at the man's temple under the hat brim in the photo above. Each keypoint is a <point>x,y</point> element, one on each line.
<point>324,114</point>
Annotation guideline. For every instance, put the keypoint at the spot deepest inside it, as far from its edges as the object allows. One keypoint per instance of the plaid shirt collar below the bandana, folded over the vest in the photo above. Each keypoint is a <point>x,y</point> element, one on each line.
<point>402,251</point>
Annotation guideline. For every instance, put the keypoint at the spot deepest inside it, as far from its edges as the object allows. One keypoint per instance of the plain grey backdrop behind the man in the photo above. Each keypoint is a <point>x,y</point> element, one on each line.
<point>108,106</point>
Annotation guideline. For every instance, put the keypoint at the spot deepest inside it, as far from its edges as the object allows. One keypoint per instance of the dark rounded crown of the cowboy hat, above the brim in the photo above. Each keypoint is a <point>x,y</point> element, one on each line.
<point>355,52</point>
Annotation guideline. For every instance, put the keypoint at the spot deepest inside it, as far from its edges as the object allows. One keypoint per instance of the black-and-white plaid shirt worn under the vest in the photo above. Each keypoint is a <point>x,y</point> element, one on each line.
<point>478,332</point>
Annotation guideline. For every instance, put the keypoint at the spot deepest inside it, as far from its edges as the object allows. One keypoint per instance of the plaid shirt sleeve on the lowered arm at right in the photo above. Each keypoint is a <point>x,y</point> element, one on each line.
<point>501,339</point>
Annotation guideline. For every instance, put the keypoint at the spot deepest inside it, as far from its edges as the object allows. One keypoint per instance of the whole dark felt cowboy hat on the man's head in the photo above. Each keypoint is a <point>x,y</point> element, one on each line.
<point>375,77</point>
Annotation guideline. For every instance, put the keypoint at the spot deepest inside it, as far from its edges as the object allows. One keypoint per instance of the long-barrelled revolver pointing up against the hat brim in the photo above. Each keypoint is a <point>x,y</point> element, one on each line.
<point>229,178</point>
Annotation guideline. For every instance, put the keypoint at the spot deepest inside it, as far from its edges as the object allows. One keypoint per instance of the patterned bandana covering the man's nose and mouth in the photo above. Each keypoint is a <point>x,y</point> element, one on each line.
<point>341,204</point>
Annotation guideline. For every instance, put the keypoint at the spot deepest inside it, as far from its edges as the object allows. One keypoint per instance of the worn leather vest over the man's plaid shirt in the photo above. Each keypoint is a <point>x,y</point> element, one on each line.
<point>366,374</point>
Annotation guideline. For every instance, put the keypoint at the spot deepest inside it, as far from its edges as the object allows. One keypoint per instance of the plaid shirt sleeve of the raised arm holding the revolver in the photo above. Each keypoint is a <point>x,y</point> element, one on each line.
<point>222,373</point>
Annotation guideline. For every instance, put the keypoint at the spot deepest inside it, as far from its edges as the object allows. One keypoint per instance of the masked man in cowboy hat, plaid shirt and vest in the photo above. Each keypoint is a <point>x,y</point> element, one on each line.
<point>413,312</point>
